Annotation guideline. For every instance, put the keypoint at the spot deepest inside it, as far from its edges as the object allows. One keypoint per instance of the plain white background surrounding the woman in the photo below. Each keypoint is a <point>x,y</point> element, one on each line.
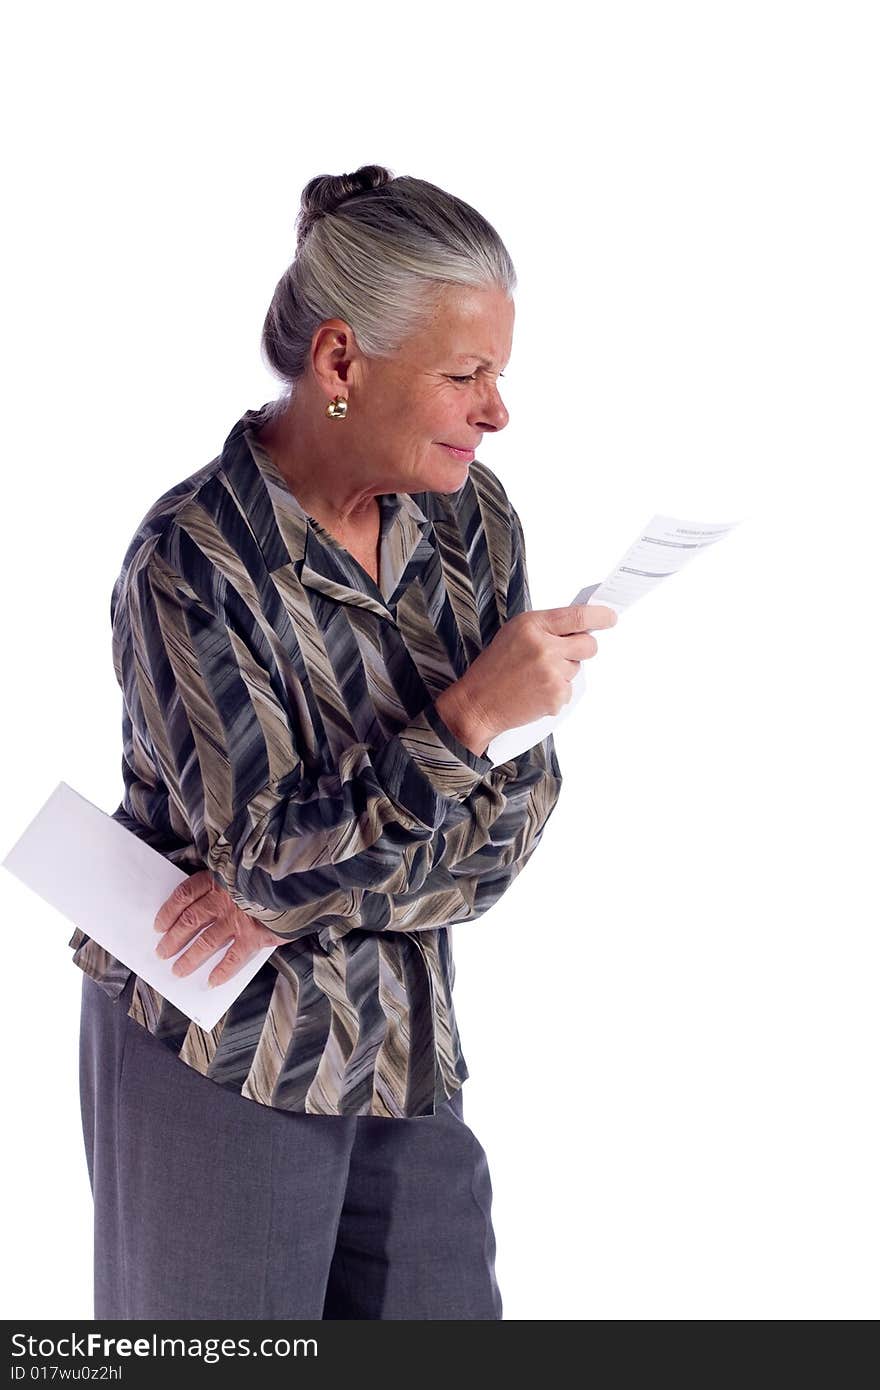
<point>671,1020</point>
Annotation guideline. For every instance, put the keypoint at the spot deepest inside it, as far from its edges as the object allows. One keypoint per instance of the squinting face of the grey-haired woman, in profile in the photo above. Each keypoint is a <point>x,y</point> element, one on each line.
<point>441,389</point>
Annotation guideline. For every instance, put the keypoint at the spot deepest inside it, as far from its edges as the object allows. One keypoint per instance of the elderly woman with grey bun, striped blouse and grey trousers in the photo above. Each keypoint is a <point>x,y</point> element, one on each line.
<point>318,636</point>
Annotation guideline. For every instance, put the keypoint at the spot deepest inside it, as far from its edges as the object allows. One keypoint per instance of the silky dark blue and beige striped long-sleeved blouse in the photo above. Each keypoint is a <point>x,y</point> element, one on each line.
<point>280,729</point>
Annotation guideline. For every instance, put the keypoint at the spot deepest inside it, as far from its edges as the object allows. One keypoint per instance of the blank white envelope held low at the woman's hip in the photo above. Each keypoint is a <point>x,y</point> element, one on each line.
<point>112,885</point>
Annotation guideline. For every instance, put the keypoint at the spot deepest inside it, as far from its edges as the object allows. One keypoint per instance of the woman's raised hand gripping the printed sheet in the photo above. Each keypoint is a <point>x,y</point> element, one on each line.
<point>525,673</point>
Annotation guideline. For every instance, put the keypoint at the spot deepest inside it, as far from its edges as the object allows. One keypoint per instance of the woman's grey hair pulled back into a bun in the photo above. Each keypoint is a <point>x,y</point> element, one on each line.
<point>376,251</point>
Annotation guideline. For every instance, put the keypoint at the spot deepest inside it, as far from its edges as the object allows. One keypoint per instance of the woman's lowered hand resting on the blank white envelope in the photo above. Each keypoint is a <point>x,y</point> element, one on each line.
<point>195,903</point>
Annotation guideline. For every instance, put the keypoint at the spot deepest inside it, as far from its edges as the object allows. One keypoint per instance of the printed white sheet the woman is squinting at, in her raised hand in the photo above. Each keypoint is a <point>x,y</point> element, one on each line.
<point>664,548</point>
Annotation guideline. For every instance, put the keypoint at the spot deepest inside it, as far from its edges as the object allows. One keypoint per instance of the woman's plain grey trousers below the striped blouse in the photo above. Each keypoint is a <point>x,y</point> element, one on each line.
<point>209,1206</point>
